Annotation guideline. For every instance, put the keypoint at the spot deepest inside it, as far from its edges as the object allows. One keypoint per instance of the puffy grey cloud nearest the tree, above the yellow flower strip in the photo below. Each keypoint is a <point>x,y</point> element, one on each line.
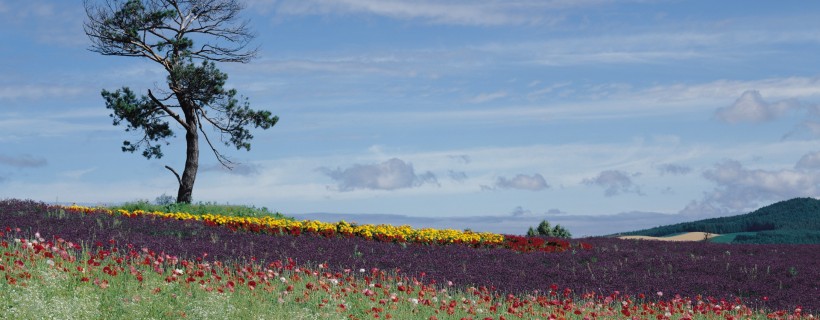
<point>389,175</point>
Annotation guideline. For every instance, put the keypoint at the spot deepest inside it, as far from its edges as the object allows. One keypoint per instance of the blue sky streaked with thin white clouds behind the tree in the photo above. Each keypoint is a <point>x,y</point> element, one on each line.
<point>601,115</point>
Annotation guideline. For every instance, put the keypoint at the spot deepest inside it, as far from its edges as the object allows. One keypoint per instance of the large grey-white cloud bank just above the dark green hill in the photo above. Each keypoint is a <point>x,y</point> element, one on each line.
<point>740,189</point>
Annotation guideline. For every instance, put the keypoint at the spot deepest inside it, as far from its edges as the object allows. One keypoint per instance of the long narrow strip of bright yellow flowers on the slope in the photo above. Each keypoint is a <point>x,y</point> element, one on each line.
<point>381,232</point>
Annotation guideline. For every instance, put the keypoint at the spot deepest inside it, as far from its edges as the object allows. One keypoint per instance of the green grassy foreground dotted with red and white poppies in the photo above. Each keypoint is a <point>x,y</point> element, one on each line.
<point>55,279</point>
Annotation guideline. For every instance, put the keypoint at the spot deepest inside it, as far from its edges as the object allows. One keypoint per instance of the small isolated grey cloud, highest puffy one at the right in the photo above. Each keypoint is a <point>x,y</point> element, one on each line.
<point>751,107</point>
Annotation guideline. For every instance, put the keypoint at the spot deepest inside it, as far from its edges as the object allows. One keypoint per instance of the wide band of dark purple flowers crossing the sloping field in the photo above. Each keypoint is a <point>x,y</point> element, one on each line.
<point>767,276</point>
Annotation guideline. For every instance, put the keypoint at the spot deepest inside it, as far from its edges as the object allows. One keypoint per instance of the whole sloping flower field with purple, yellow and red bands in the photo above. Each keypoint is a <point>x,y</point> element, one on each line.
<point>159,265</point>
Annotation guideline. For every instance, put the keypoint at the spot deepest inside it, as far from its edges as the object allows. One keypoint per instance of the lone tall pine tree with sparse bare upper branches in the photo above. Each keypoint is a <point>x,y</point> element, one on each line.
<point>163,31</point>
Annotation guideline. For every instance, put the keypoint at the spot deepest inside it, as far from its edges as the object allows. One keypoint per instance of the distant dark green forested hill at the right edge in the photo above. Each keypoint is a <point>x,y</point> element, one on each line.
<point>791,221</point>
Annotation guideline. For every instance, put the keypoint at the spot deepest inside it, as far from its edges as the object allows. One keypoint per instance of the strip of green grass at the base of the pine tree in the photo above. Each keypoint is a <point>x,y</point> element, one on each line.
<point>200,208</point>
